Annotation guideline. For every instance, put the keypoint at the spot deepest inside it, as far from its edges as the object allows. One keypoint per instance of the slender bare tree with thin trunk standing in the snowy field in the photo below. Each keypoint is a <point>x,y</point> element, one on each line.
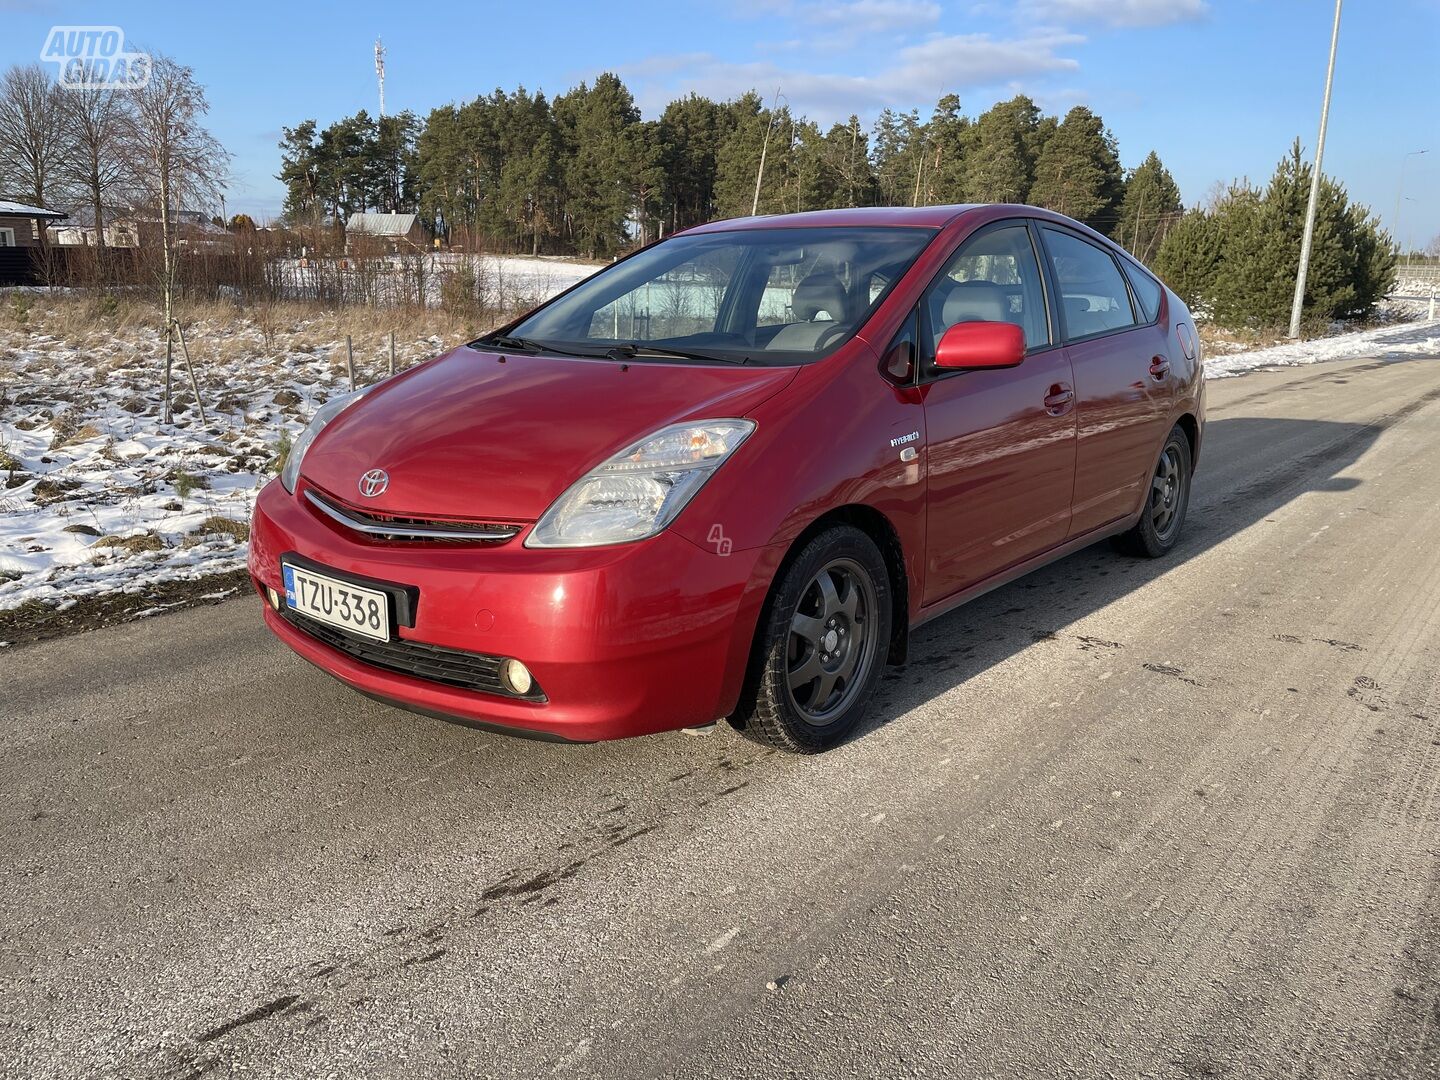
<point>185,168</point>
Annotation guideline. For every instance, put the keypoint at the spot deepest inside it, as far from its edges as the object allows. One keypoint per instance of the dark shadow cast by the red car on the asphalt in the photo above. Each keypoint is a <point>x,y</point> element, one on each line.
<point>1249,469</point>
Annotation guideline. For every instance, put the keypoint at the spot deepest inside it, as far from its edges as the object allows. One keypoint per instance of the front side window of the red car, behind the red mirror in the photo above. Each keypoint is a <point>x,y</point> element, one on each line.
<point>993,279</point>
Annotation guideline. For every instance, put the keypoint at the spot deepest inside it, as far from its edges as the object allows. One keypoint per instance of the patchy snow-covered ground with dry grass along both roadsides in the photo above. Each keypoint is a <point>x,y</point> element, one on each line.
<point>97,495</point>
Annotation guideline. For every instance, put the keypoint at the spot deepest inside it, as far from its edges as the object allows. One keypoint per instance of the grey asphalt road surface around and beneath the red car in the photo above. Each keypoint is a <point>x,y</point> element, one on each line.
<point>1120,819</point>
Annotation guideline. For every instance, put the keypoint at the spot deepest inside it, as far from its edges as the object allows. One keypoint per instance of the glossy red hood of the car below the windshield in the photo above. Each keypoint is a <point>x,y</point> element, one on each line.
<point>473,436</point>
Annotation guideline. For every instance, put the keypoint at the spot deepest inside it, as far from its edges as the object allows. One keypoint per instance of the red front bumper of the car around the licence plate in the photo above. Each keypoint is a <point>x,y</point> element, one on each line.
<point>624,640</point>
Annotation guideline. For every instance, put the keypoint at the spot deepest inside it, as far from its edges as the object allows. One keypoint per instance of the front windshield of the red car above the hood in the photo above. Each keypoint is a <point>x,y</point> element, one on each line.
<point>752,296</point>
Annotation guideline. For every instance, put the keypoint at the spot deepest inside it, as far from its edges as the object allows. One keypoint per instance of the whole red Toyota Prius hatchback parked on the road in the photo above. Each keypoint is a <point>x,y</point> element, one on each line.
<point>728,476</point>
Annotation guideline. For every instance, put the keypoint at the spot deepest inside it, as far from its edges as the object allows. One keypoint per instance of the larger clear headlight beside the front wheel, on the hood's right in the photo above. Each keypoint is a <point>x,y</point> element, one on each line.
<point>640,490</point>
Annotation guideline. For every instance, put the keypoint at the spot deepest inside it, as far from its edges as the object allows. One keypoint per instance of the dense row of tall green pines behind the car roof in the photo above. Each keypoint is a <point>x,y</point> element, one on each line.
<point>585,174</point>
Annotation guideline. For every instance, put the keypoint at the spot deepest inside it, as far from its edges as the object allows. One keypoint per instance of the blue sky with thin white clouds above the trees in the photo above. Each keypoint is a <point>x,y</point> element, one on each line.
<point>1219,89</point>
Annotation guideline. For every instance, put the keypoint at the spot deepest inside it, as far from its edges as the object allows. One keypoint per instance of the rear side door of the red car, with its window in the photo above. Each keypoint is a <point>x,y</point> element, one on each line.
<point>1122,375</point>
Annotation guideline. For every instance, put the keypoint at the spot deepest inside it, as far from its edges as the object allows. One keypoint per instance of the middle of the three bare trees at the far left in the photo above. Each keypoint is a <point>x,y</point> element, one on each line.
<point>103,138</point>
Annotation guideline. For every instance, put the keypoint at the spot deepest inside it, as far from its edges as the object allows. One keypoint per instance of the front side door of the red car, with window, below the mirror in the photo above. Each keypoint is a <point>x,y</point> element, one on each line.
<point>1000,443</point>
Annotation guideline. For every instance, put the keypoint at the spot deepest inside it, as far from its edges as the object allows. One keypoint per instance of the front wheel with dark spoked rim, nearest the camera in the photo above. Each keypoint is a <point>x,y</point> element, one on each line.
<point>822,646</point>
